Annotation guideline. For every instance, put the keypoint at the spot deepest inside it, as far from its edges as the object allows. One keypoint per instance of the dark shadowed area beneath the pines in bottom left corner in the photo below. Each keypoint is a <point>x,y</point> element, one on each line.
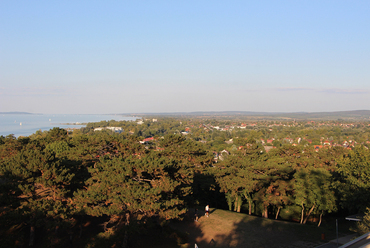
<point>34,229</point>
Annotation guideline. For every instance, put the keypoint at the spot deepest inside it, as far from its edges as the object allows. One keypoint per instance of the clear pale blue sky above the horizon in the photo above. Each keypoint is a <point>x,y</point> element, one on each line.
<point>98,57</point>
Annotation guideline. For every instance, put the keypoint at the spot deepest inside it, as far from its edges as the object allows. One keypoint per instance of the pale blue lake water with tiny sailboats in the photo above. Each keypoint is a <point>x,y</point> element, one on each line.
<point>27,124</point>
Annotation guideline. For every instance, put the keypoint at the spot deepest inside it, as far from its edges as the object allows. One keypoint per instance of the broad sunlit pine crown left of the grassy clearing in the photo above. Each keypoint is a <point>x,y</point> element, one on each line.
<point>141,187</point>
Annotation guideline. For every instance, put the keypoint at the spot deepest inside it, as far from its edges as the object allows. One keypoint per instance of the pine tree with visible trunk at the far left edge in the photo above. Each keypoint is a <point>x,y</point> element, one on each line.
<point>36,188</point>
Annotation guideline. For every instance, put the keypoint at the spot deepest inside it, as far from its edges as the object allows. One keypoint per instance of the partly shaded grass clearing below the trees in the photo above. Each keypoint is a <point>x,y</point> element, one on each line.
<point>229,229</point>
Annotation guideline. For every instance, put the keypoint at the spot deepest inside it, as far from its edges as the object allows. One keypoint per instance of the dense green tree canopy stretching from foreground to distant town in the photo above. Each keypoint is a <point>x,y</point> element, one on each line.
<point>157,170</point>
